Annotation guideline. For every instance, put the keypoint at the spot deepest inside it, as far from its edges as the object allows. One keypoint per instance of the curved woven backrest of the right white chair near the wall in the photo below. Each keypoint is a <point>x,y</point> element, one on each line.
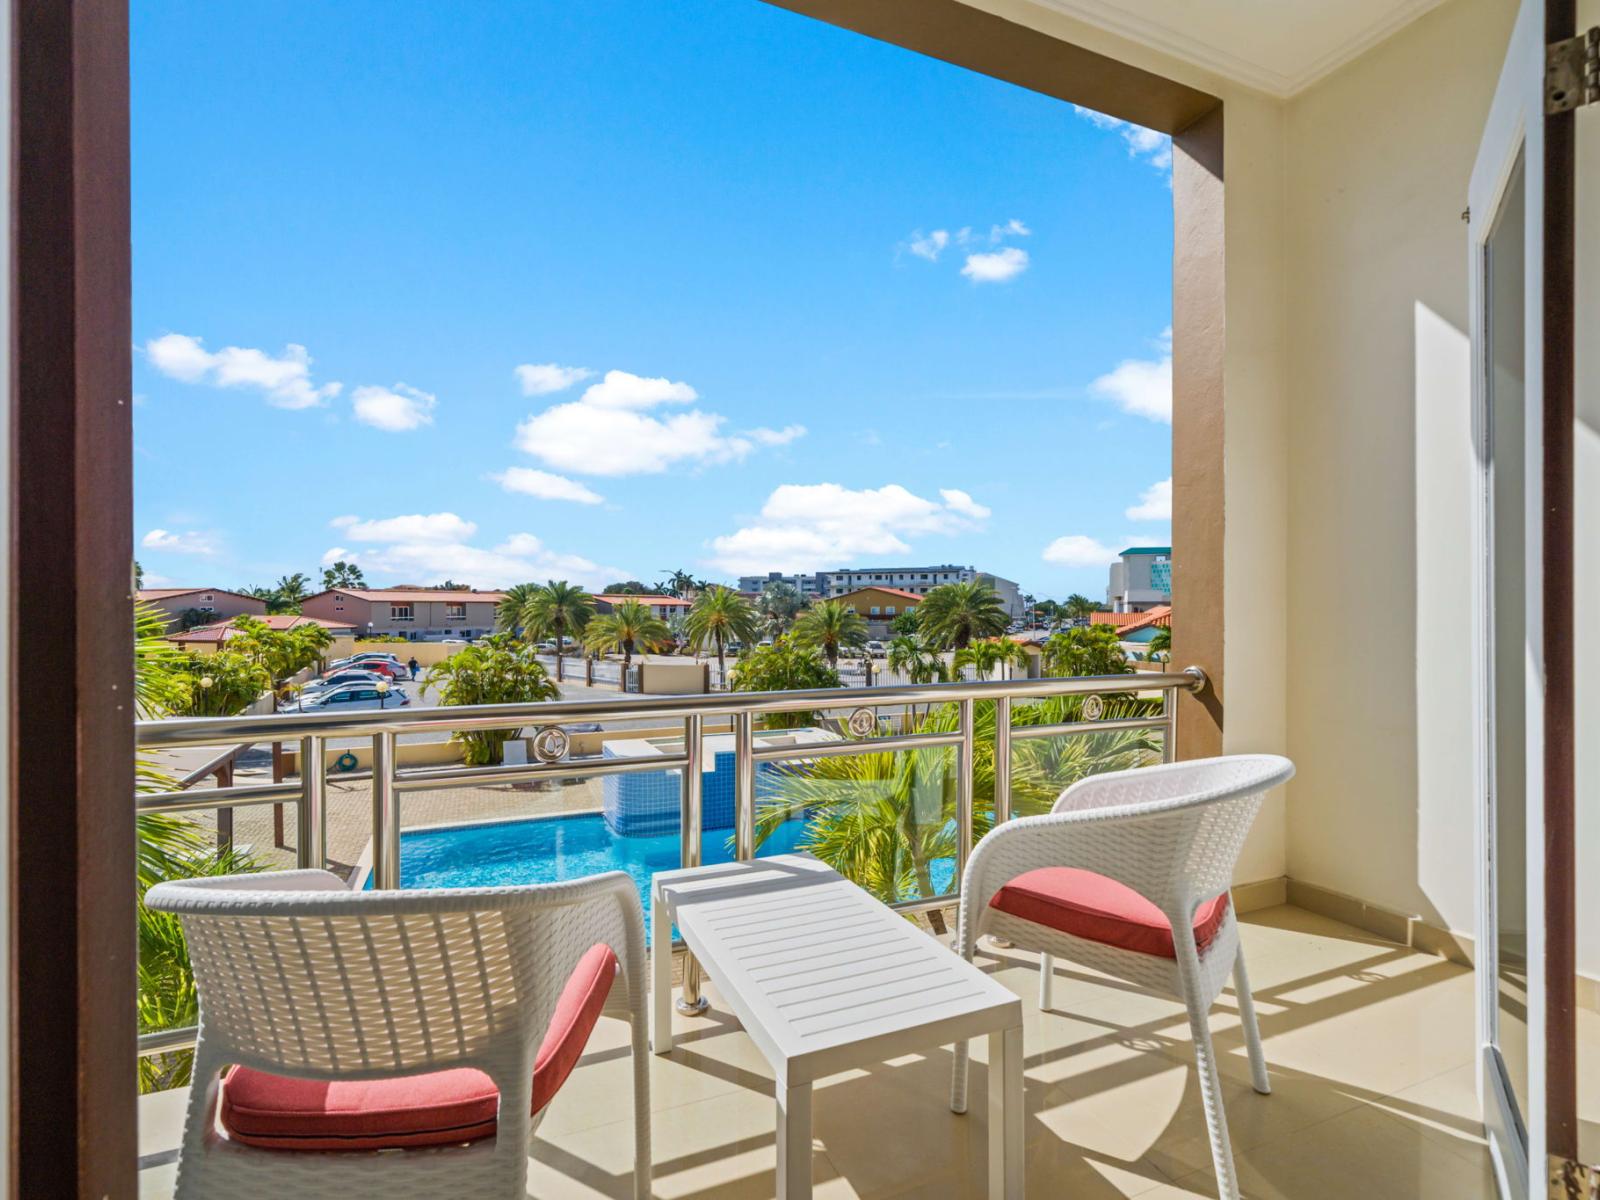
<point>1172,833</point>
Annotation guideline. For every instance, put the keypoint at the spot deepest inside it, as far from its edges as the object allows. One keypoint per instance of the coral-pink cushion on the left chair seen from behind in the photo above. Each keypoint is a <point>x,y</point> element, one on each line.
<point>438,1110</point>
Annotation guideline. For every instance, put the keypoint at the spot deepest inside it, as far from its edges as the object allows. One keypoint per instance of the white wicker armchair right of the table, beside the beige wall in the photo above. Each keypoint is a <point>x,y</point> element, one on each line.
<point>1172,834</point>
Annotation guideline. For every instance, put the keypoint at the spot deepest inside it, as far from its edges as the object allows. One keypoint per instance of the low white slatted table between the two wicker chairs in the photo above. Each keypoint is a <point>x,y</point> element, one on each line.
<point>825,978</point>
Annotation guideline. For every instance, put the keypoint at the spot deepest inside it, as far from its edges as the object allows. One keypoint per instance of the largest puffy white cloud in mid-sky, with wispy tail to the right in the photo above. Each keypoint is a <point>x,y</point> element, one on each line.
<point>604,433</point>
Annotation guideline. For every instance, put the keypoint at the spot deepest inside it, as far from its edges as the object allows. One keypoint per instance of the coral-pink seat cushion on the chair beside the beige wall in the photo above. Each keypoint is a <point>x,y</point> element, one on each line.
<point>1102,910</point>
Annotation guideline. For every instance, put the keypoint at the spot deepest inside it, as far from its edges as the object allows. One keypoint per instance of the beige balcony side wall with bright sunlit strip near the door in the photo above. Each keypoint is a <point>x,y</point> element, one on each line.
<point>1382,466</point>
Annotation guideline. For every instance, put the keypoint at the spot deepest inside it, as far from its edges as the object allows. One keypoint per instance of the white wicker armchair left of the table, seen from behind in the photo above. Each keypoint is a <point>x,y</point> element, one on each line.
<point>303,978</point>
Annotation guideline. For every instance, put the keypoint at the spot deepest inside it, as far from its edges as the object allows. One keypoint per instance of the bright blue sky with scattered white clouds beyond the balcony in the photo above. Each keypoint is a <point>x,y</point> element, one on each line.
<point>521,290</point>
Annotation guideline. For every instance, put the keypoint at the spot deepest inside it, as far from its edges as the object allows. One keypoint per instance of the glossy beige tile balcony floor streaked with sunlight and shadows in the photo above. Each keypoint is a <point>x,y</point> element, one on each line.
<point>1370,1047</point>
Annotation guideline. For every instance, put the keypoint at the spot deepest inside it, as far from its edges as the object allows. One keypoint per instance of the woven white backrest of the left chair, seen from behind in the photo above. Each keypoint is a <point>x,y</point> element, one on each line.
<point>300,975</point>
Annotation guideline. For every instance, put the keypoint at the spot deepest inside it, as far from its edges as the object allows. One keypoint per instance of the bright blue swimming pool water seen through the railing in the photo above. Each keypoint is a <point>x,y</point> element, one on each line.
<point>545,850</point>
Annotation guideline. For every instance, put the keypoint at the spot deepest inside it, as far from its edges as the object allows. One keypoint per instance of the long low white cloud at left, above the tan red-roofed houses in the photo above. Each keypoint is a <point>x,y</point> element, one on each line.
<point>401,553</point>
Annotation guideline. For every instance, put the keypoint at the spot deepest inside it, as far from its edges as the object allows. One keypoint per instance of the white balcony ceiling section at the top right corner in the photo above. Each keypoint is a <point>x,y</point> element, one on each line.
<point>1278,47</point>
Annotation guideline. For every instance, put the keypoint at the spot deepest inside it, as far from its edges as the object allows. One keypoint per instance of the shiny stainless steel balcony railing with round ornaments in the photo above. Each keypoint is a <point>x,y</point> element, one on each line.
<point>550,751</point>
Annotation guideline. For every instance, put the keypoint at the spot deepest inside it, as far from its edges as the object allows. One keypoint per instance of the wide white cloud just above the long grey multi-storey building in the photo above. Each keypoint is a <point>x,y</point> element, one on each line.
<point>812,526</point>
